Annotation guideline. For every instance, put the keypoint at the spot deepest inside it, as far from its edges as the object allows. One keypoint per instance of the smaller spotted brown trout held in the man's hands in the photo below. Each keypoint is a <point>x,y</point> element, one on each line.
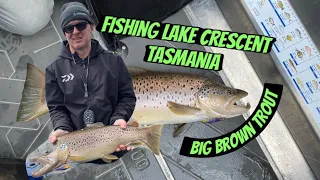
<point>95,142</point>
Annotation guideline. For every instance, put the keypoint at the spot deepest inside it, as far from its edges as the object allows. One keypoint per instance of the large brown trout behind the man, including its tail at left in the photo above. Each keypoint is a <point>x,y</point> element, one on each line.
<point>162,98</point>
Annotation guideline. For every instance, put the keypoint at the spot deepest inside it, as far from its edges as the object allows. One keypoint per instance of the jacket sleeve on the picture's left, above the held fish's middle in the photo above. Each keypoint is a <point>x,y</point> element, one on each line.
<point>55,102</point>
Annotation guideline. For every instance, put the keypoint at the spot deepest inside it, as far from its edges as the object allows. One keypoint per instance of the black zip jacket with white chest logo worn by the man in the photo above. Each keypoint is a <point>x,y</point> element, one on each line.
<point>110,87</point>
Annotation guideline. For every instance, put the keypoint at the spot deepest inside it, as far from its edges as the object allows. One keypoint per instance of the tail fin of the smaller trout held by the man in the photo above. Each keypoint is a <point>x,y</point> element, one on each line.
<point>152,140</point>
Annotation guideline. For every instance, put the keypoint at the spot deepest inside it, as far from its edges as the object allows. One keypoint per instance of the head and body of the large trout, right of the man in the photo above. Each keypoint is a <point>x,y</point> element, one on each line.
<point>172,98</point>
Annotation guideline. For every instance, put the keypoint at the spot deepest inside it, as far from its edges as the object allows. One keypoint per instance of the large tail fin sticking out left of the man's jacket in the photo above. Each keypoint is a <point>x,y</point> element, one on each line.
<point>33,102</point>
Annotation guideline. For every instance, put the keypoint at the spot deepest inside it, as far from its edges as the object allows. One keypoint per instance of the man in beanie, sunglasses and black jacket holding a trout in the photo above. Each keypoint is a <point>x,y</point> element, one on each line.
<point>85,83</point>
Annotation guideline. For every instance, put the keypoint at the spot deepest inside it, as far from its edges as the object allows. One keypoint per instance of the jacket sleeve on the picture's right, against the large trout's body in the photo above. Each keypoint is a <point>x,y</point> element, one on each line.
<point>126,95</point>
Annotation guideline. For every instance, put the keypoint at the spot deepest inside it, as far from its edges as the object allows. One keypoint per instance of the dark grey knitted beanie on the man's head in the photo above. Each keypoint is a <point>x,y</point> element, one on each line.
<point>74,11</point>
